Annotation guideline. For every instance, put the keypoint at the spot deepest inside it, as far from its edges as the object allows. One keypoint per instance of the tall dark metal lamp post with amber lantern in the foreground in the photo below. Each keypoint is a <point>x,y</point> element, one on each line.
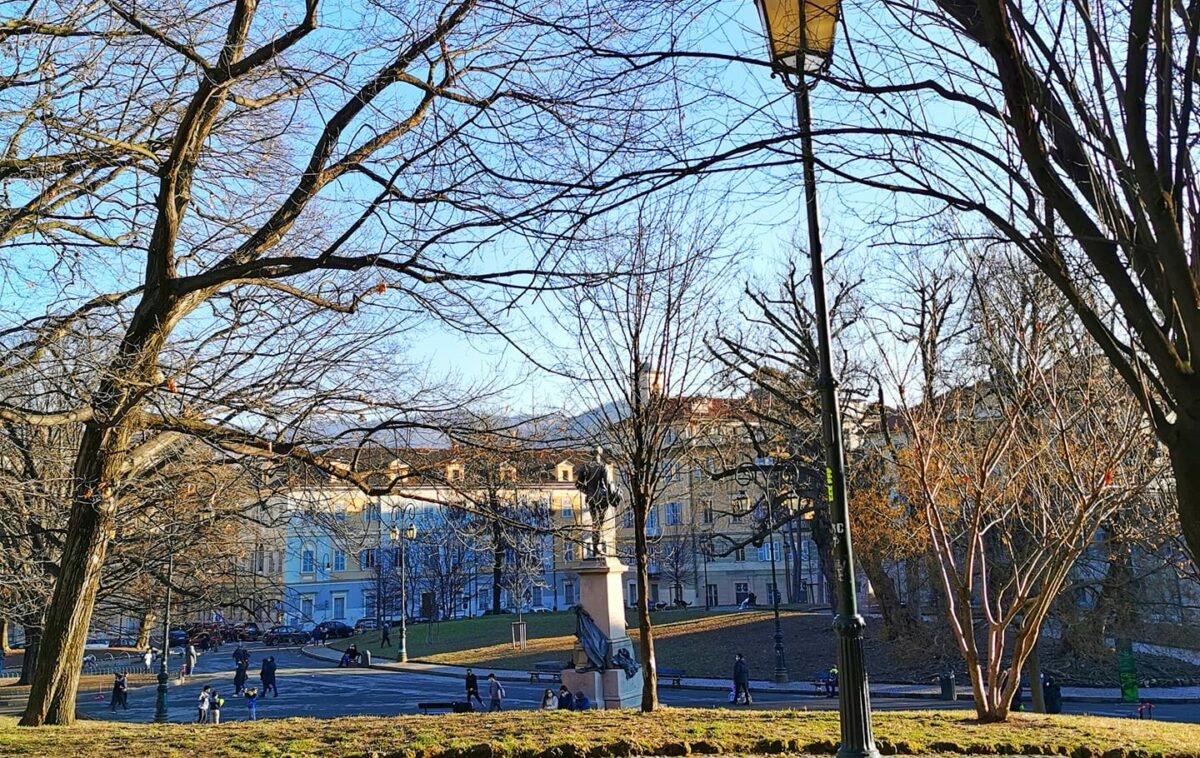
<point>800,39</point>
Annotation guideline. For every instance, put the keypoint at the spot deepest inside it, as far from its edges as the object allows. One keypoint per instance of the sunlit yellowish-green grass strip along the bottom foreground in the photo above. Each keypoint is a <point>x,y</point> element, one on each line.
<point>670,732</point>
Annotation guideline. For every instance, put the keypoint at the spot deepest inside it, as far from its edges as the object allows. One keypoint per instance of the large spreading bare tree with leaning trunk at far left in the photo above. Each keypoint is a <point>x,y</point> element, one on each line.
<point>250,185</point>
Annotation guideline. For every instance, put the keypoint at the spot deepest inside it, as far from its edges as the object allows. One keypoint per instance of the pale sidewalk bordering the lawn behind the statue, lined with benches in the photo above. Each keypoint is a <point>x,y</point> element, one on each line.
<point>1167,696</point>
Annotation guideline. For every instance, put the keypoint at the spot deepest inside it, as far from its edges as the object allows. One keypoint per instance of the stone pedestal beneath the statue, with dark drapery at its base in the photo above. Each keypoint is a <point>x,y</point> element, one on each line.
<point>601,595</point>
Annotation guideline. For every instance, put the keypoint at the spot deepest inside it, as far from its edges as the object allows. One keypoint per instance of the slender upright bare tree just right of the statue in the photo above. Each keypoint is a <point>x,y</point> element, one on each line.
<point>641,362</point>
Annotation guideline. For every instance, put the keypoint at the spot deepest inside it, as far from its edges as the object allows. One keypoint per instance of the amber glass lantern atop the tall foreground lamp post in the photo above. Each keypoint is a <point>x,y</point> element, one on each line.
<point>800,33</point>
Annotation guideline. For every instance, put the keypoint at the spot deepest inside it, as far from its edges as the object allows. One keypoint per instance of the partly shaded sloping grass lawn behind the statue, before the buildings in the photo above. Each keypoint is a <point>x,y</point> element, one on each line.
<point>700,642</point>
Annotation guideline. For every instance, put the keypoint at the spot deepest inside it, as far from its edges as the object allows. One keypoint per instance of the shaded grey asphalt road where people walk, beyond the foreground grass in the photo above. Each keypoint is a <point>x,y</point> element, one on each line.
<point>310,688</point>
